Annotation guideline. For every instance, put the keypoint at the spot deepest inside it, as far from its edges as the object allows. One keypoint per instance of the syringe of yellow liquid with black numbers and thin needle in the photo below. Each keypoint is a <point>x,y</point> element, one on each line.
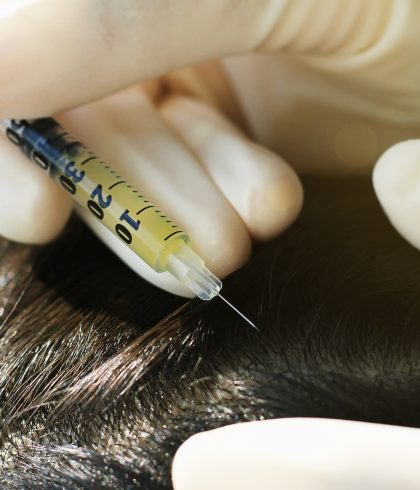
<point>115,203</point>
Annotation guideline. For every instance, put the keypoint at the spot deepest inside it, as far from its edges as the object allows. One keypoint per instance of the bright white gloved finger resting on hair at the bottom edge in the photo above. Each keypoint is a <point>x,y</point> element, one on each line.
<point>300,454</point>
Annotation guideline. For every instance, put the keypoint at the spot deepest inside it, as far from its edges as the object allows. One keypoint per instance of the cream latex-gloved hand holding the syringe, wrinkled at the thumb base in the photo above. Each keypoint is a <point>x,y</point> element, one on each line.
<point>333,84</point>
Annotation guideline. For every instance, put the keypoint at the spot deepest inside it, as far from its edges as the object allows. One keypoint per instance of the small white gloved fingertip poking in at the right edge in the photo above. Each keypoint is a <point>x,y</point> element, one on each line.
<point>396,179</point>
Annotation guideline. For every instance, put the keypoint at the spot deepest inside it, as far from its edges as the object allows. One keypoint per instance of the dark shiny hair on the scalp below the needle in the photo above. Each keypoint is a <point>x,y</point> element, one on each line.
<point>102,376</point>
